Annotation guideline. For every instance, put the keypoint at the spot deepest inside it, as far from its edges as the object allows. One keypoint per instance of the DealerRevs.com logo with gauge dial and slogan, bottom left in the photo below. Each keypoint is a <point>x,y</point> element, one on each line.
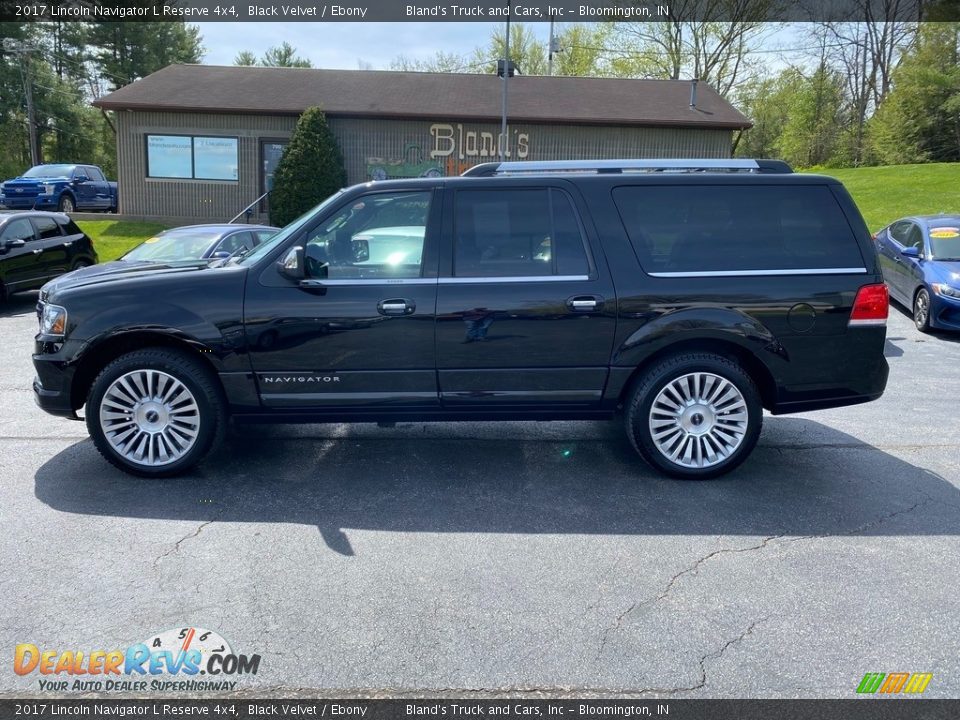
<point>172,661</point>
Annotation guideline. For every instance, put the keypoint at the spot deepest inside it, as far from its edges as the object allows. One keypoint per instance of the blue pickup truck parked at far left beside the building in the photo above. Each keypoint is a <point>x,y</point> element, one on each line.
<point>63,186</point>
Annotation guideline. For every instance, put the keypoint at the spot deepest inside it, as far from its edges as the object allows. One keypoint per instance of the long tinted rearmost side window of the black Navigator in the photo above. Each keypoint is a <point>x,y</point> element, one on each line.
<point>729,228</point>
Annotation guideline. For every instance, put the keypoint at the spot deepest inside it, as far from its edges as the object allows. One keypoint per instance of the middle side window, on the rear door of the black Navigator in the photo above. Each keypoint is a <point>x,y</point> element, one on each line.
<point>520,233</point>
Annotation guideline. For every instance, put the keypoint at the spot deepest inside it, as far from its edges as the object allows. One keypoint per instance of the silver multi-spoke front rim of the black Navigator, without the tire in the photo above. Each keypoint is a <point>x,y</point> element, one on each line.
<point>149,417</point>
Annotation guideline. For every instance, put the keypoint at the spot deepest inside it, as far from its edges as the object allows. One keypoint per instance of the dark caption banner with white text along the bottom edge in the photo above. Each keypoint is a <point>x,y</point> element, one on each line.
<point>873,708</point>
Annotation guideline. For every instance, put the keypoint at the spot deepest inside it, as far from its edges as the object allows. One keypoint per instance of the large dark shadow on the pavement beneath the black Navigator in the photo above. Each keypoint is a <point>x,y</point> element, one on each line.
<point>804,479</point>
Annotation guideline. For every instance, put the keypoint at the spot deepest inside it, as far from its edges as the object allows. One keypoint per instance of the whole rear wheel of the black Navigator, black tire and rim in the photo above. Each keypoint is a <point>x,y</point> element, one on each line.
<point>704,428</point>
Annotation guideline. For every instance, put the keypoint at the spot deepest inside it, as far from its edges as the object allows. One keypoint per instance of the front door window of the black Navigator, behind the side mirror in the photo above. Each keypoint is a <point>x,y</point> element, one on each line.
<point>377,235</point>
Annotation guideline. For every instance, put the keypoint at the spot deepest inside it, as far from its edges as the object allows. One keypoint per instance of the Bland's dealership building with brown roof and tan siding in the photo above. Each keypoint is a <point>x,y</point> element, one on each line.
<point>201,142</point>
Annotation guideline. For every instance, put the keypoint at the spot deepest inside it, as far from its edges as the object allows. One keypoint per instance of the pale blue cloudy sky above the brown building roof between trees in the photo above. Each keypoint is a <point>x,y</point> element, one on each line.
<point>348,46</point>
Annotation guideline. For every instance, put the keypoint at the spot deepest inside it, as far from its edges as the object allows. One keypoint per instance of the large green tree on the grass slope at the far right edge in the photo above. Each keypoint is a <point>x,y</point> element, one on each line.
<point>919,120</point>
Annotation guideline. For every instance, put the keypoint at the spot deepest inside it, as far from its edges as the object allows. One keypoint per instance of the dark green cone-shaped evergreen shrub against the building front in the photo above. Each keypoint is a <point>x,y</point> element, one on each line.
<point>310,170</point>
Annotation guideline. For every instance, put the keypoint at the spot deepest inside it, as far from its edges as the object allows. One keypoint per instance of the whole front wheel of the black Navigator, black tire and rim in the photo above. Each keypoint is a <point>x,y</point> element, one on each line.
<point>205,418</point>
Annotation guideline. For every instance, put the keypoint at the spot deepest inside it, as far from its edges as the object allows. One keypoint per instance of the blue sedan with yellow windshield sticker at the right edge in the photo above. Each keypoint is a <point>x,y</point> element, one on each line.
<point>920,258</point>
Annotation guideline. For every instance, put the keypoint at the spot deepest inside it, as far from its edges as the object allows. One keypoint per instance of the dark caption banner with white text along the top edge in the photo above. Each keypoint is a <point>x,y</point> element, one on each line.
<point>479,10</point>
